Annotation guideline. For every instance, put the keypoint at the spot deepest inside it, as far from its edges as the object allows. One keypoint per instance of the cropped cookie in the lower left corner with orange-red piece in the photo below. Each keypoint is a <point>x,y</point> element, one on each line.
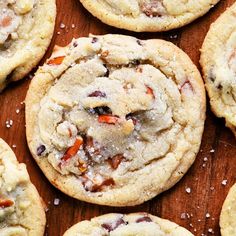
<point>21,209</point>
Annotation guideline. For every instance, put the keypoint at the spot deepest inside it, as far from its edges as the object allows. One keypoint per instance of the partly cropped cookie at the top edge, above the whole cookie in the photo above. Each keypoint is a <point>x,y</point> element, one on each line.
<point>148,15</point>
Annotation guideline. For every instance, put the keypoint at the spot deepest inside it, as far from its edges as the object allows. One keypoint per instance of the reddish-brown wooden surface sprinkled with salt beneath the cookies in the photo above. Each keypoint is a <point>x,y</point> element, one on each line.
<point>204,178</point>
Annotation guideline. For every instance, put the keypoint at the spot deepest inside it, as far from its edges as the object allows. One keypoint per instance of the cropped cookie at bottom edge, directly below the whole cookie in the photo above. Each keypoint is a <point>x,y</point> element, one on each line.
<point>135,224</point>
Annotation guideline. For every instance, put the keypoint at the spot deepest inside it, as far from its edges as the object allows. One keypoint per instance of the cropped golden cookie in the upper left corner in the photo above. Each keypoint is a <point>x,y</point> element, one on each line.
<point>26,28</point>
